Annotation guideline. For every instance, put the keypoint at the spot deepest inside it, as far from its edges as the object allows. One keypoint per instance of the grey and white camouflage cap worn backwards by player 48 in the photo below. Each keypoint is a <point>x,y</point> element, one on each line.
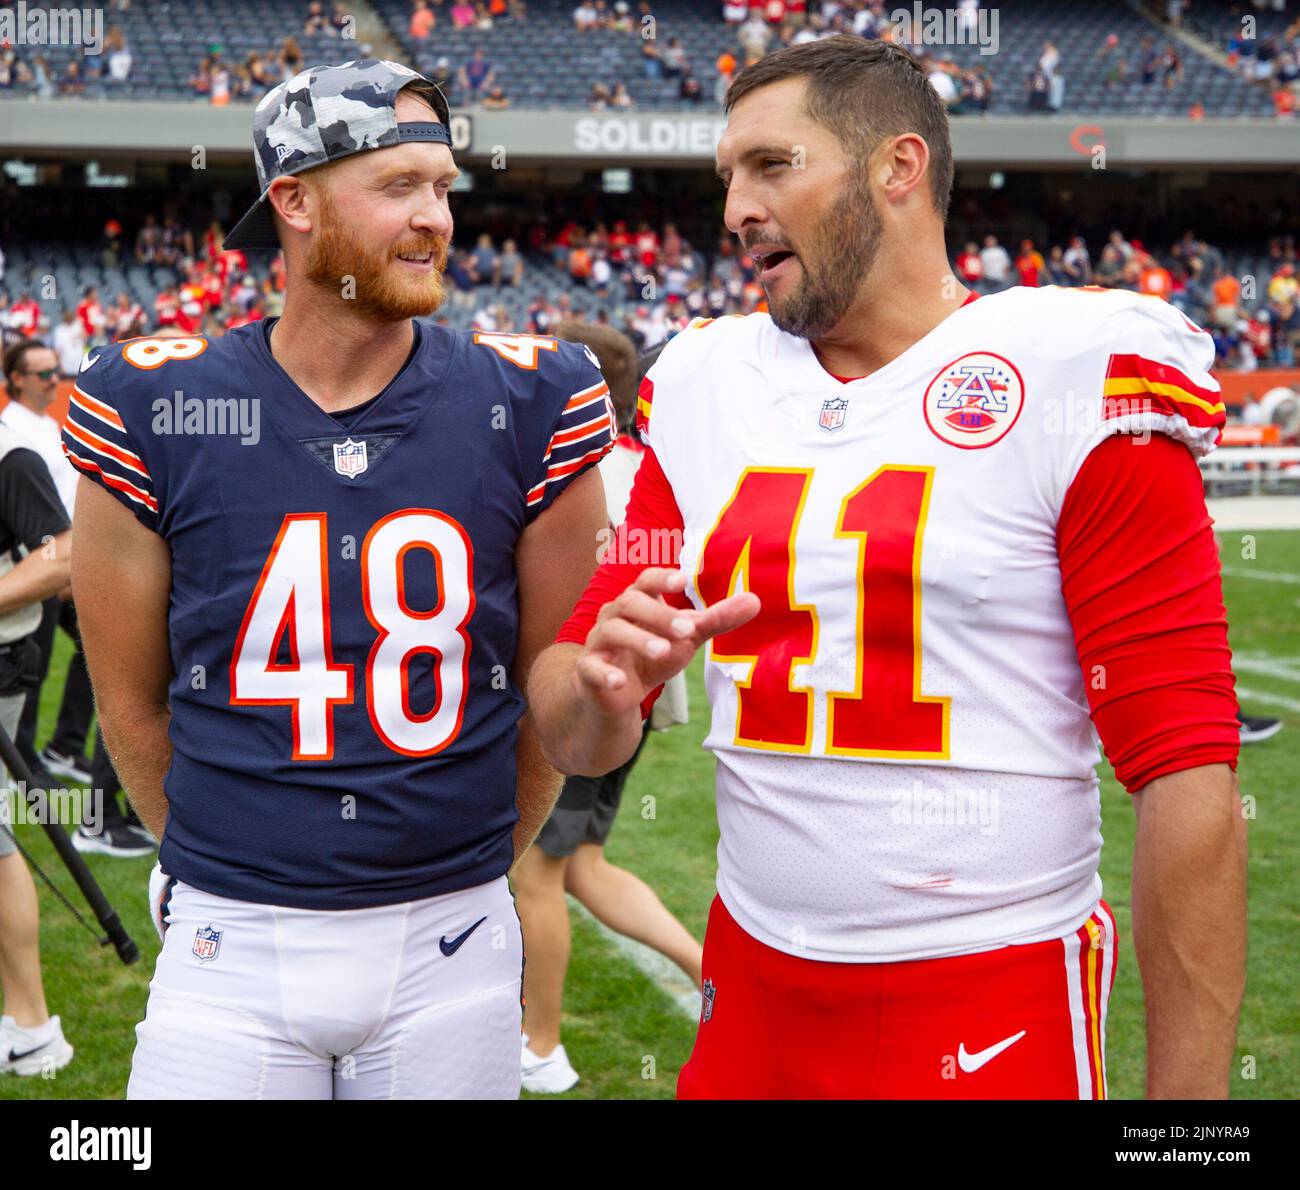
<point>327,114</point>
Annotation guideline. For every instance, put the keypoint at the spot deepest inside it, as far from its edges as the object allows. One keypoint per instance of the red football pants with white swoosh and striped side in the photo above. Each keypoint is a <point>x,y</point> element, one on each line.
<point>1017,1023</point>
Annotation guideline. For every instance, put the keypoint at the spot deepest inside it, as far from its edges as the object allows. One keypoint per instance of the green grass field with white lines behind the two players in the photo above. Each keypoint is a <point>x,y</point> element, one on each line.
<point>629,1038</point>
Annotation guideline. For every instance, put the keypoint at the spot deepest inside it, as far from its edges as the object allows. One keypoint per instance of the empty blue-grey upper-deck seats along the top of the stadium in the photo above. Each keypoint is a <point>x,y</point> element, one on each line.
<point>545,63</point>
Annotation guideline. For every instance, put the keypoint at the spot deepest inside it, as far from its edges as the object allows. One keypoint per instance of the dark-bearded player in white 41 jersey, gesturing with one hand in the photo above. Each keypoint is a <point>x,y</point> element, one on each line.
<point>929,536</point>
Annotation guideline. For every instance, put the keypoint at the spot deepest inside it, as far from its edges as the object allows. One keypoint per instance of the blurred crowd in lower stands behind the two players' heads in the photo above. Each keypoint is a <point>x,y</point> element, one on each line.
<point>647,282</point>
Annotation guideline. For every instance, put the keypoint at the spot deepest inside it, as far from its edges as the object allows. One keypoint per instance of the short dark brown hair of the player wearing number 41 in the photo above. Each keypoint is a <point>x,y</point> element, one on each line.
<point>865,93</point>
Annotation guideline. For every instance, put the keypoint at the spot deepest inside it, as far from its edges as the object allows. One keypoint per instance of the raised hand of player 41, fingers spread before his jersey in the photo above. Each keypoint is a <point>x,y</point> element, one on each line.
<point>640,641</point>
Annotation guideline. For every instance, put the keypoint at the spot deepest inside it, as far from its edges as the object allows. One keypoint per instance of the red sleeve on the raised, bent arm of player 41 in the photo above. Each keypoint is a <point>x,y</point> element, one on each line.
<point>651,535</point>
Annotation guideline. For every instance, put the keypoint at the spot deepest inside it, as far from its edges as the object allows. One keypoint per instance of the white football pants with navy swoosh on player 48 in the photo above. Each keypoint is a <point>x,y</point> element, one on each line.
<point>262,1002</point>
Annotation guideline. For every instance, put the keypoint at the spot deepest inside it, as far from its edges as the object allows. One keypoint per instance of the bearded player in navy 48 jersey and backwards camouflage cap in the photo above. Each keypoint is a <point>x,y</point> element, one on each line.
<point>318,557</point>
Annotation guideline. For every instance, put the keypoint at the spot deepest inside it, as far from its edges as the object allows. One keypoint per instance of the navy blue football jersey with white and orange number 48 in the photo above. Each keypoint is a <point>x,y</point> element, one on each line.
<point>344,615</point>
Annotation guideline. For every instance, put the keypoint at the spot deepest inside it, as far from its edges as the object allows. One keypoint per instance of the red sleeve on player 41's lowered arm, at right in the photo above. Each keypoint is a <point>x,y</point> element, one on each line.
<point>1141,575</point>
